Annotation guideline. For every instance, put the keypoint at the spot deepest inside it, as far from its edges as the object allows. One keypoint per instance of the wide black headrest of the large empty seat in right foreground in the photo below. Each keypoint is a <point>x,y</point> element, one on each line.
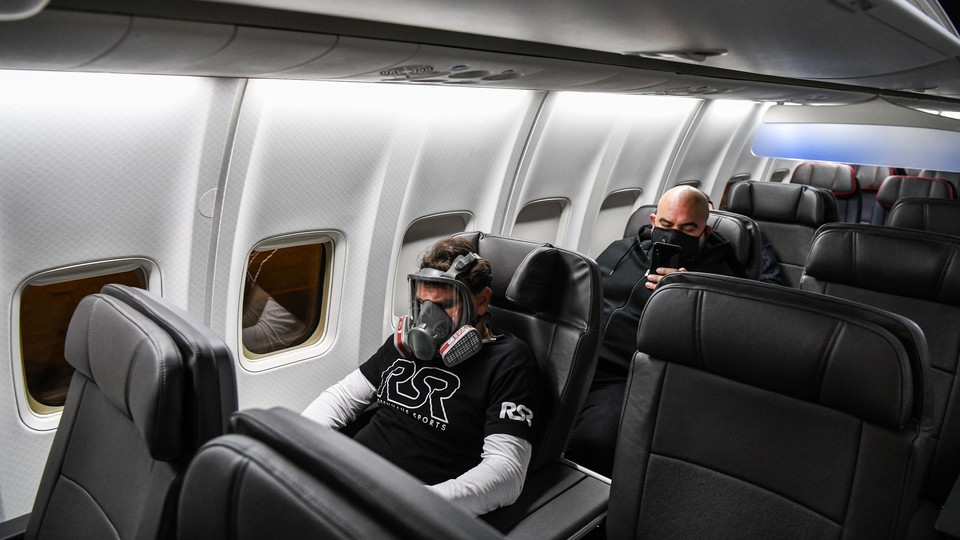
<point>847,356</point>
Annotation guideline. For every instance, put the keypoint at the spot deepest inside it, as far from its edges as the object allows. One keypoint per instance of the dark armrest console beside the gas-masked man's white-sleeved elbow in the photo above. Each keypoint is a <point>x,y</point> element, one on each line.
<point>561,501</point>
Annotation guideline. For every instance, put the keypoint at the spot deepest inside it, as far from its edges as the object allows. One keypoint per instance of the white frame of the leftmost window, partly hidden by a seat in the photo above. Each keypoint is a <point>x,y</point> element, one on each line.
<point>47,418</point>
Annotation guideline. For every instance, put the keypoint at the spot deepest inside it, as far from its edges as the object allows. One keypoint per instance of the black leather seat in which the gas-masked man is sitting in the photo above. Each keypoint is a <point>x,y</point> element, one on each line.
<point>549,298</point>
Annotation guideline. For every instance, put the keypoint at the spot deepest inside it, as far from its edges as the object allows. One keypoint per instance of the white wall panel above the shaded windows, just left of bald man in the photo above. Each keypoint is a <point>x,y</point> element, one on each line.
<point>586,146</point>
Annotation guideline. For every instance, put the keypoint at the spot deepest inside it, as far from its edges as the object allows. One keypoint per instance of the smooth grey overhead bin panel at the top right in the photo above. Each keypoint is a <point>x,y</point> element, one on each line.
<point>816,39</point>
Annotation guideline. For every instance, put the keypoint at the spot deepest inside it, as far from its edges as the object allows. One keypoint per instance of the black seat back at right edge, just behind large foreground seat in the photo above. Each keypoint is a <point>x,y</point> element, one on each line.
<point>869,264</point>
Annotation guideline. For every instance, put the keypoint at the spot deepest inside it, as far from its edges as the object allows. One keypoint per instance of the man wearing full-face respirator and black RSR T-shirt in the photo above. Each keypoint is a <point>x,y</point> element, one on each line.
<point>456,401</point>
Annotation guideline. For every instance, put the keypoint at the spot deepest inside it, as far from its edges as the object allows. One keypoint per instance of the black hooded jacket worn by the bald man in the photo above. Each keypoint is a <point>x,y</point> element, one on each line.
<point>623,266</point>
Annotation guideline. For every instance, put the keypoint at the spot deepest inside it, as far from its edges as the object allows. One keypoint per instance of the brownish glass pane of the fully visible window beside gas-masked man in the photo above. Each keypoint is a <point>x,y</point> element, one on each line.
<point>285,296</point>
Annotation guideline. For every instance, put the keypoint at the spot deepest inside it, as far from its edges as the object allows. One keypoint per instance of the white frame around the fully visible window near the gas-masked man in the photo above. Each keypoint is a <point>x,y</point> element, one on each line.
<point>315,345</point>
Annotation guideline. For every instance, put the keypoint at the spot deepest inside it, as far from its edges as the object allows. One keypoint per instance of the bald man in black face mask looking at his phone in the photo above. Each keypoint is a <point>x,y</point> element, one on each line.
<point>628,280</point>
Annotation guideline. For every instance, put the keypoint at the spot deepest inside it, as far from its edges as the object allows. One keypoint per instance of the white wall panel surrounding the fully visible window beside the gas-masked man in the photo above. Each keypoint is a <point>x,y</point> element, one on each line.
<point>366,161</point>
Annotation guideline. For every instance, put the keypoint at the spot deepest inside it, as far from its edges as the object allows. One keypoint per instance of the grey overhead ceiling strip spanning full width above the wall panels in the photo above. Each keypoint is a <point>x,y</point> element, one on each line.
<point>816,51</point>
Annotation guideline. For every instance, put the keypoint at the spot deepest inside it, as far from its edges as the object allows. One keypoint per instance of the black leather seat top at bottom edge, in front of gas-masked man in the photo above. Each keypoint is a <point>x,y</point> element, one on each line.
<point>276,475</point>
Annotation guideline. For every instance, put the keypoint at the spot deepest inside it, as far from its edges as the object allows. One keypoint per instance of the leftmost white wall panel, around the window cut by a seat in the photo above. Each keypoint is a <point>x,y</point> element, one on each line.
<point>96,167</point>
